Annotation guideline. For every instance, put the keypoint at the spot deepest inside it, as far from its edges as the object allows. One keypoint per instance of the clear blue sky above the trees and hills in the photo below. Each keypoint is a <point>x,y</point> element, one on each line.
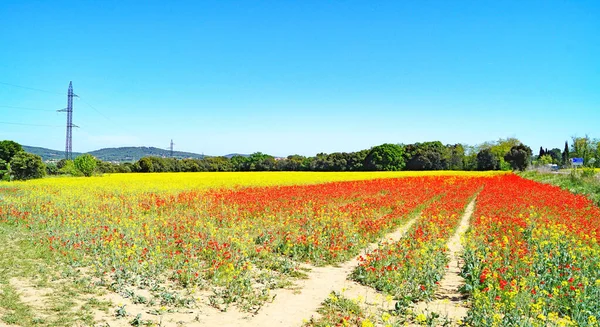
<point>285,77</point>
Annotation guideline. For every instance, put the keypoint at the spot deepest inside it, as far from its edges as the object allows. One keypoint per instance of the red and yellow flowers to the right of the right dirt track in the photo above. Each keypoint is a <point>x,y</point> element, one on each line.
<point>532,257</point>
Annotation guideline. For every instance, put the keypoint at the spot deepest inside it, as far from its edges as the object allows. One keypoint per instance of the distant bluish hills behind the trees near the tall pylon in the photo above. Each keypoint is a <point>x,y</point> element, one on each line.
<point>123,154</point>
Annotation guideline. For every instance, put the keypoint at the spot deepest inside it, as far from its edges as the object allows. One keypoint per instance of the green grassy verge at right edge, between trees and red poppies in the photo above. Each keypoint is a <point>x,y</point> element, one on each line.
<point>576,181</point>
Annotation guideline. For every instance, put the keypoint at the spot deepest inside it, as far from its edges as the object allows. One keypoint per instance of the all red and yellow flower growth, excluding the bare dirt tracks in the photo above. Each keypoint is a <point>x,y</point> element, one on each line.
<point>531,256</point>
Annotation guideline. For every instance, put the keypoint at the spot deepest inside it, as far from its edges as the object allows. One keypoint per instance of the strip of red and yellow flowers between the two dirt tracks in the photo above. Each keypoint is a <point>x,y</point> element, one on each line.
<point>410,268</point>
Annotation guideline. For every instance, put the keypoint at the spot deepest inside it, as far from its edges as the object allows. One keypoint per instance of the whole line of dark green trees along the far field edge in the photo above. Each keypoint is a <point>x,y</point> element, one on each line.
<point>503,154</point>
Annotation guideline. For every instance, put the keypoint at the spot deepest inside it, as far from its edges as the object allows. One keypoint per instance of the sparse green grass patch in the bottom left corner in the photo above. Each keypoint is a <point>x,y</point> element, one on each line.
<point>60,304</point>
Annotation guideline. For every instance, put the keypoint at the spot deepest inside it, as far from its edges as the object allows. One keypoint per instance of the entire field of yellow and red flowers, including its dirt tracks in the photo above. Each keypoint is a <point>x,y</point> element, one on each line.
<point>298,249</point>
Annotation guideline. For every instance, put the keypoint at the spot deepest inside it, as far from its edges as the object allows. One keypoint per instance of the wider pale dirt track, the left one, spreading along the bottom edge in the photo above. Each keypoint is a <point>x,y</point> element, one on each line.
<point>289,308</point>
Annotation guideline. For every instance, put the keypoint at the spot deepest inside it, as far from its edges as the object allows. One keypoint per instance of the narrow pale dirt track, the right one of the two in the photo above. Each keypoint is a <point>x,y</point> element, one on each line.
<point>449,302</point>
